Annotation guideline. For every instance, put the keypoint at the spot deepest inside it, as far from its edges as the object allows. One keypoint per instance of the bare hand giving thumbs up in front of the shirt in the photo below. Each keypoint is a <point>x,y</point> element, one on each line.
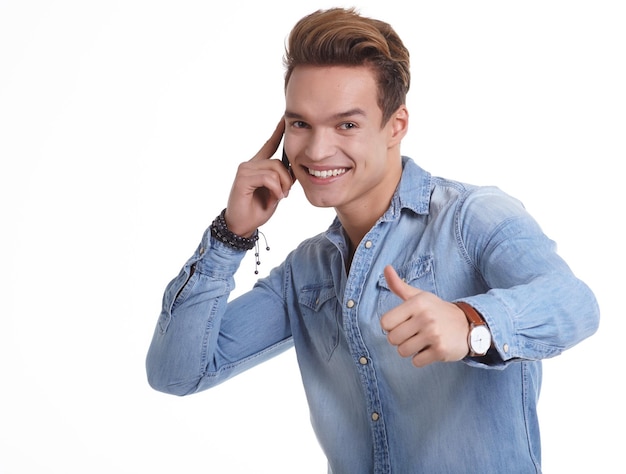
<point>424,327</point>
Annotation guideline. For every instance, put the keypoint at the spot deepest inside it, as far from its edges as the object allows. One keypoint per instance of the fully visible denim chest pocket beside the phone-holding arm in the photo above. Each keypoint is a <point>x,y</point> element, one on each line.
<point>320,317</point>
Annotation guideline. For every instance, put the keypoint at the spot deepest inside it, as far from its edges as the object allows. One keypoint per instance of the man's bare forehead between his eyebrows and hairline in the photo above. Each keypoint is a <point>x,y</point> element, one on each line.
<point>331,90</point>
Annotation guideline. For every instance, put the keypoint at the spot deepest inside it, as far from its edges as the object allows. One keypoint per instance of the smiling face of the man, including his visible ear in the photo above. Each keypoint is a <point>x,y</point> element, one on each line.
<point>337,147</point>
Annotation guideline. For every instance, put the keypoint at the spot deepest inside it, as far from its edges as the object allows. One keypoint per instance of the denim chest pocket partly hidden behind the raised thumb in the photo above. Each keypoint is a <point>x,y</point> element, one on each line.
<point>417,273</point>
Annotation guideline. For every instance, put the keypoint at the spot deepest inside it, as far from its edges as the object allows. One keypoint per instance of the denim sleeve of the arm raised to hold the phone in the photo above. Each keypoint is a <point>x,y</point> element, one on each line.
<point>200,339</point>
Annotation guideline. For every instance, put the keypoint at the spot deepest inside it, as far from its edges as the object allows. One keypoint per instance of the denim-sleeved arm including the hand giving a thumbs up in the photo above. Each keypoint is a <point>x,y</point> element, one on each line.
<point>535,309</point>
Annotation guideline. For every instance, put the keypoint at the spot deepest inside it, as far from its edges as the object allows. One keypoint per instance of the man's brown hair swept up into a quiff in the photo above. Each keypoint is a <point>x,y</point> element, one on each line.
<point>342,37</point>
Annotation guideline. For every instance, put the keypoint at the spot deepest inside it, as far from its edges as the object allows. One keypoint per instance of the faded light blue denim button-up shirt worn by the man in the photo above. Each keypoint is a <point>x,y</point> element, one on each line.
<point>372,410</point>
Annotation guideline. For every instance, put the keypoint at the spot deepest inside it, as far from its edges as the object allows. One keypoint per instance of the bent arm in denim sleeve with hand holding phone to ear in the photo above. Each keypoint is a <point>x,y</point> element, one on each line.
<point>200,339</point>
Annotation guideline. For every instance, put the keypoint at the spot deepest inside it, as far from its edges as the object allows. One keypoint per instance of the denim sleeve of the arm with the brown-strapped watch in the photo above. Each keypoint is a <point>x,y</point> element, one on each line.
<point>537,307</point>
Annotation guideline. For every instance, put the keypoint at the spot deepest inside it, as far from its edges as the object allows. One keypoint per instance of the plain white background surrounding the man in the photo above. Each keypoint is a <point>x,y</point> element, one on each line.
<point>121,125</point>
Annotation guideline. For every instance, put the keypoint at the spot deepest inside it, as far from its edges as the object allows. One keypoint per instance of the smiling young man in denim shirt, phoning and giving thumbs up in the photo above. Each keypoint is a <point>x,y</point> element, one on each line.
<point>419,318</point>
